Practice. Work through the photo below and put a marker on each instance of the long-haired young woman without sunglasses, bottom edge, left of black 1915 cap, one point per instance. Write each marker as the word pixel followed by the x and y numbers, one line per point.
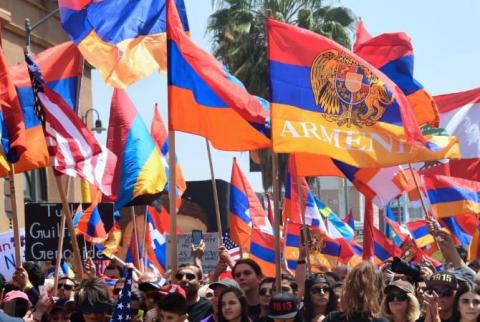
pixel 233 306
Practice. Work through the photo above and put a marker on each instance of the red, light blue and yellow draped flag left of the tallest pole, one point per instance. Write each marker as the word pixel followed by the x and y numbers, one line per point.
pixel 139 174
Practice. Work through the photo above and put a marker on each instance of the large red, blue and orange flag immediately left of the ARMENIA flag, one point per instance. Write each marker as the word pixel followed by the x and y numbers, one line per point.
pixel 206 100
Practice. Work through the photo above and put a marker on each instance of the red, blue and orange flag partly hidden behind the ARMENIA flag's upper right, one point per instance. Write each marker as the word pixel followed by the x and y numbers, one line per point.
pixel 392 54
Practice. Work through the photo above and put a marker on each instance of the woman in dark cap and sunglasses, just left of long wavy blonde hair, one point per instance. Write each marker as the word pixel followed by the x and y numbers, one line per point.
pixel 319 297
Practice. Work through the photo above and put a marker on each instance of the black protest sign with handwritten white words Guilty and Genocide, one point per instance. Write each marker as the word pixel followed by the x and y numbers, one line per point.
pixel 42 230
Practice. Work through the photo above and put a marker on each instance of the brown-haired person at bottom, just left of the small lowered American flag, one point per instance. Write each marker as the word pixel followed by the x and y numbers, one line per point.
pixel 92 300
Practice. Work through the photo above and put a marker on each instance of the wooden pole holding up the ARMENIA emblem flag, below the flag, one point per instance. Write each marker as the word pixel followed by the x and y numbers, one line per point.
pixel 276 217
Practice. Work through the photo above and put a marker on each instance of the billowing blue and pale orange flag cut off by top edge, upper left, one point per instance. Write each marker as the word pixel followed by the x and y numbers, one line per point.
pixel 125 46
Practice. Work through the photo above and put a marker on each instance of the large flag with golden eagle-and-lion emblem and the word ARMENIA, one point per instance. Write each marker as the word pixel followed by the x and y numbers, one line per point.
pixel 326 100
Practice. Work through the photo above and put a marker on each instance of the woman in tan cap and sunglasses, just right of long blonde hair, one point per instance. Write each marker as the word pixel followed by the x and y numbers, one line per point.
pixel 399 303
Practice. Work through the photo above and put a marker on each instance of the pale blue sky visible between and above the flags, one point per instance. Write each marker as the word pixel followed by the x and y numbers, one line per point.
pixel 445 39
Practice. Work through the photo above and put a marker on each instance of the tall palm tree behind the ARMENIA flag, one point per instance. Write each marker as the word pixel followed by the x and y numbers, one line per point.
pixel 238 33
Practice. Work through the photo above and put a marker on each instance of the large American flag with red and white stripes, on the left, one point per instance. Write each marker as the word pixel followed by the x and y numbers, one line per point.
pixel 73 148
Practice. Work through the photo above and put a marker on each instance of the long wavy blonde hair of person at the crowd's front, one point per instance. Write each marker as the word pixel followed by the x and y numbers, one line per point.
pixel 360 291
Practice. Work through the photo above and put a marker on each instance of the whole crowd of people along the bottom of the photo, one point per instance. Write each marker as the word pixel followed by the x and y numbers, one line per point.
pixel 397 291
